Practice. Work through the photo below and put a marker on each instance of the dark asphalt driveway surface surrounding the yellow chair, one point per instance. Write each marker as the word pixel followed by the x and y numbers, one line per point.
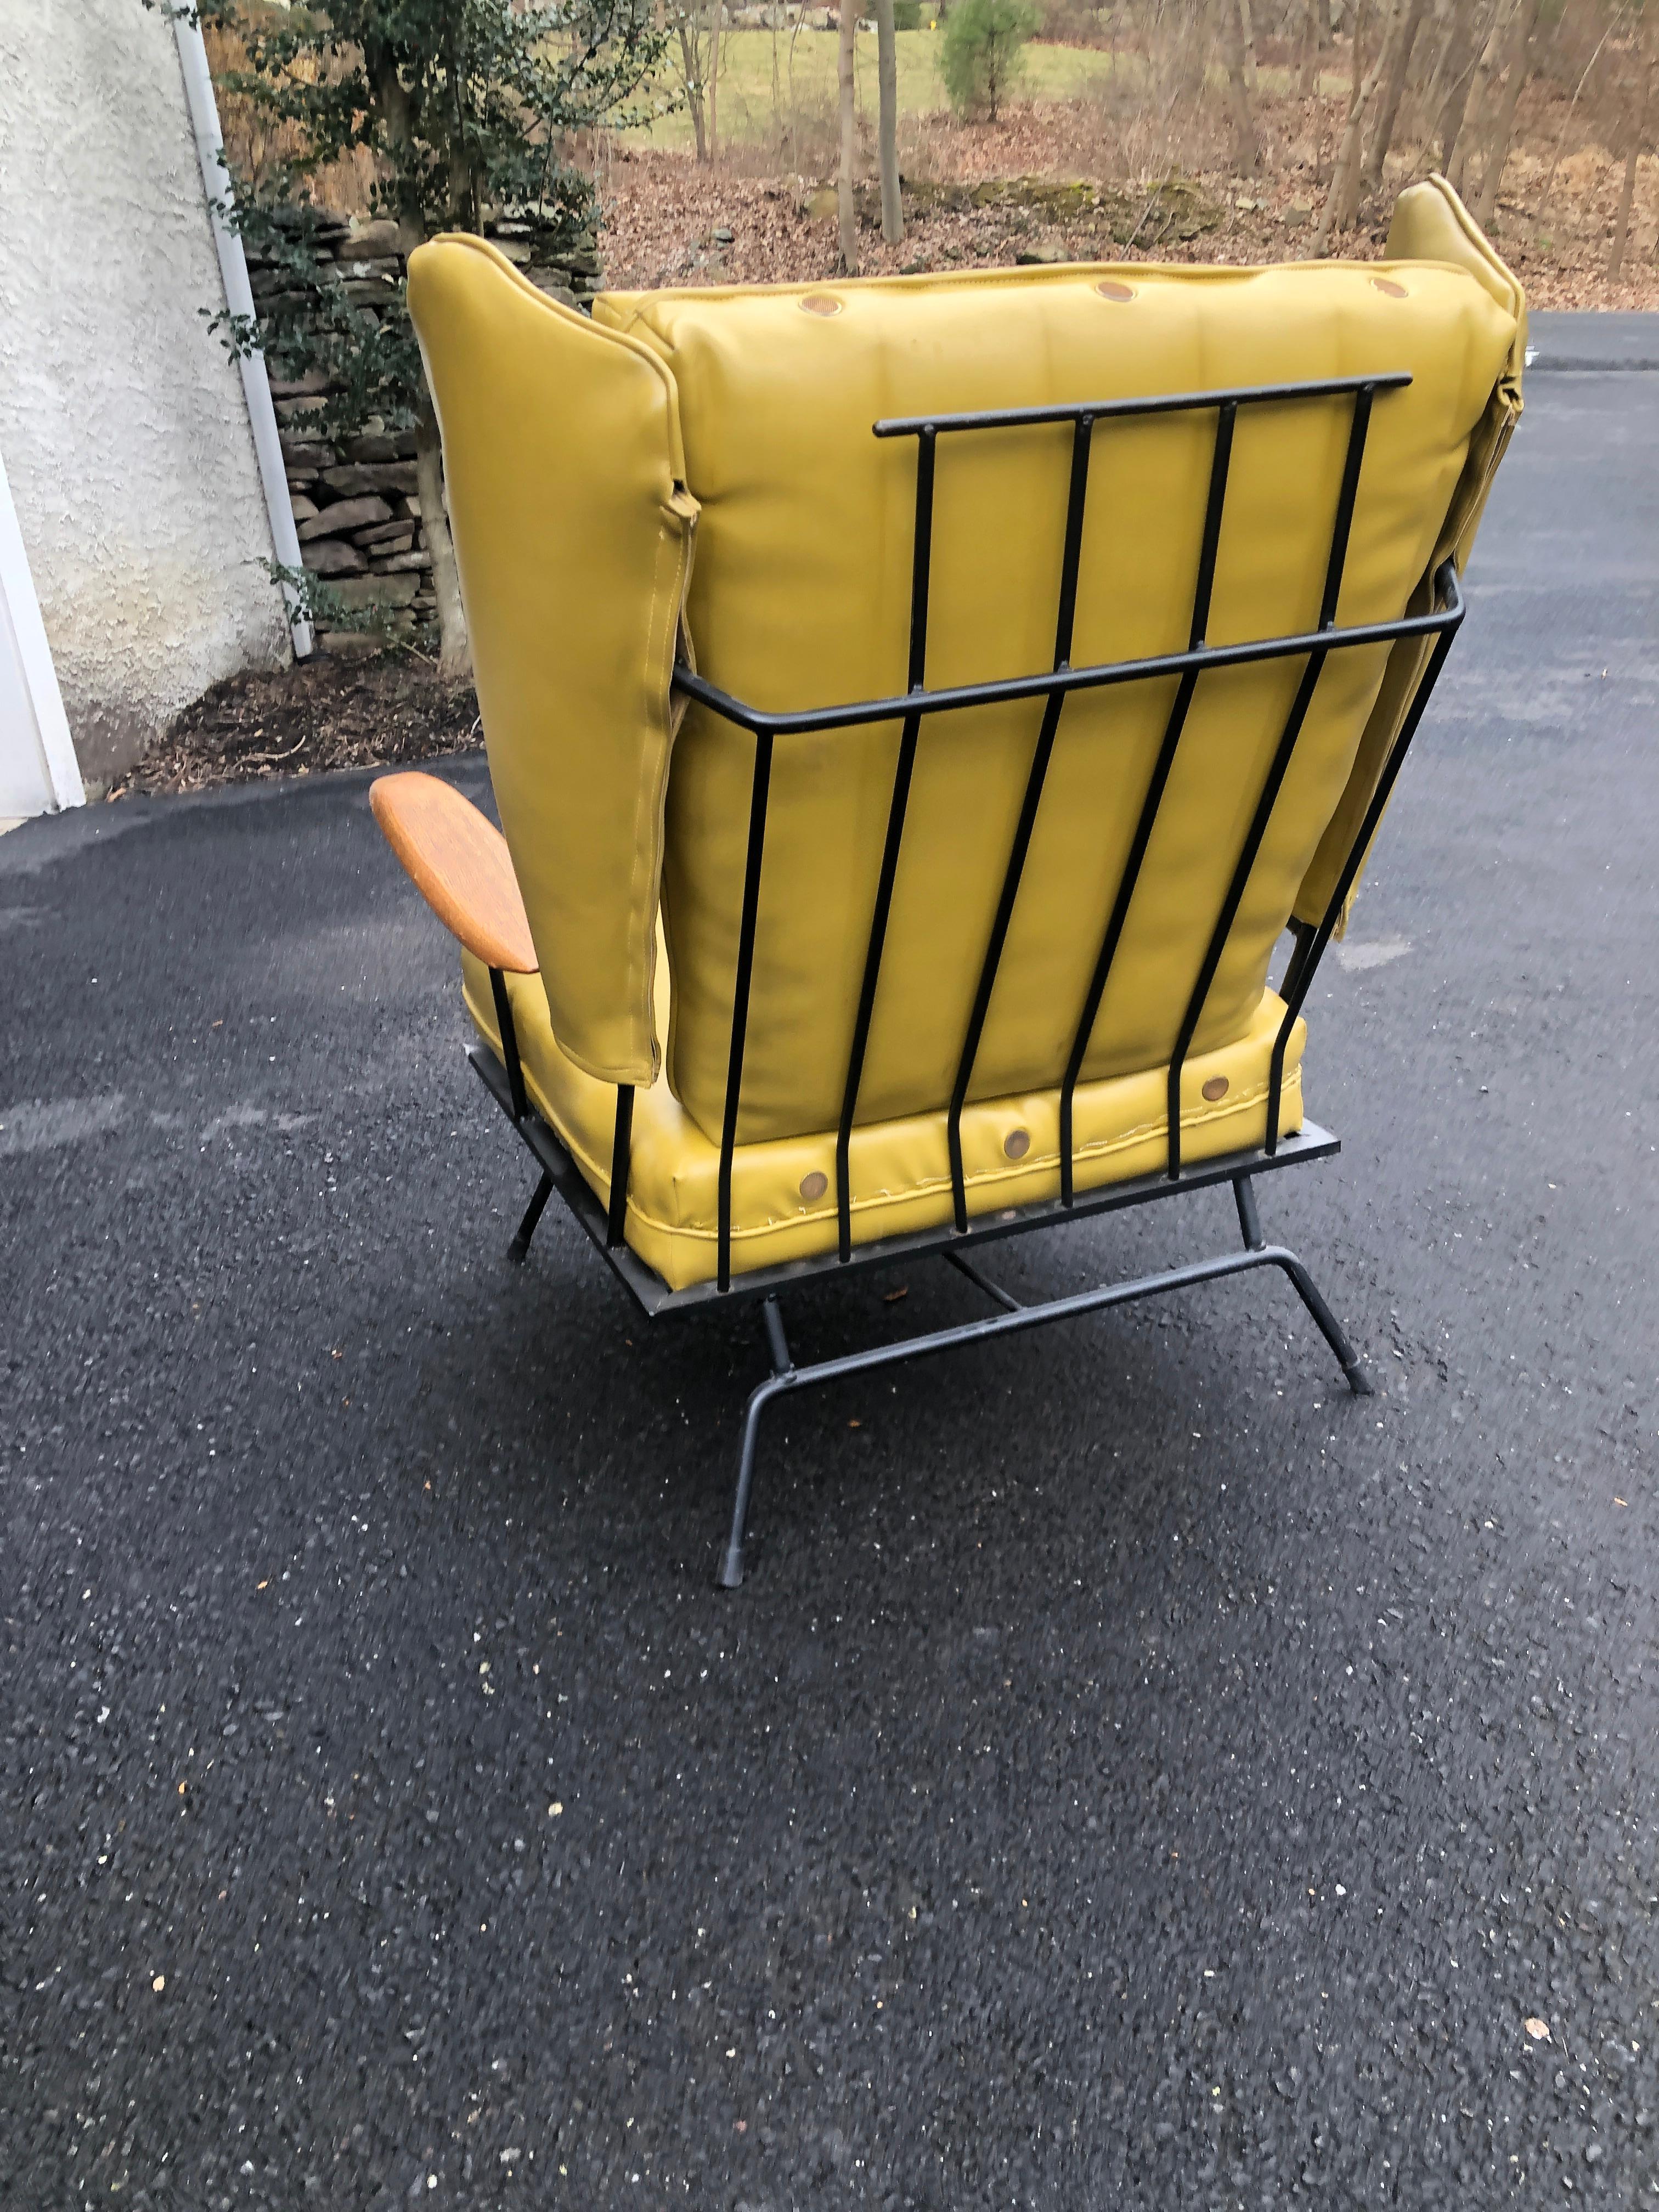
pixel 1136 1773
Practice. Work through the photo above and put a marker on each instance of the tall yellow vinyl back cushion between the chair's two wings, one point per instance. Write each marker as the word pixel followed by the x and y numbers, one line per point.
pixel 802 598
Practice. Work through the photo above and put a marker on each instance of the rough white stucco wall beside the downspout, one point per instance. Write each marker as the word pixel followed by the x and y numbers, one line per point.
pixel 123 421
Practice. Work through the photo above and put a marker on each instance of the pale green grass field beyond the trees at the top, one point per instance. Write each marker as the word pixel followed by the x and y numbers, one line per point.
pixel 806 81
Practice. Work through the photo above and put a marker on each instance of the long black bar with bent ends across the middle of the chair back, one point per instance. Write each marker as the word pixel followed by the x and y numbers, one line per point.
pixel 862 713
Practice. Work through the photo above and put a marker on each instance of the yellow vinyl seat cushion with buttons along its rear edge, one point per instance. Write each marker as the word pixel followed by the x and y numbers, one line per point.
pixel 784 1191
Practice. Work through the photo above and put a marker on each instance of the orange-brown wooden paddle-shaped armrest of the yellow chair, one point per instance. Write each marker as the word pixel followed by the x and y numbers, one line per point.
pixel 459 864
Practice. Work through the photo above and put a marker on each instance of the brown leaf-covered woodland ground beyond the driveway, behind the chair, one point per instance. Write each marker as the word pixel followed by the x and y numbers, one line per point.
pixel 1063 178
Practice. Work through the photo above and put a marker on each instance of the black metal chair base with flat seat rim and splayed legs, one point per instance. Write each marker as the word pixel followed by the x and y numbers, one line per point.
pixel 766 1284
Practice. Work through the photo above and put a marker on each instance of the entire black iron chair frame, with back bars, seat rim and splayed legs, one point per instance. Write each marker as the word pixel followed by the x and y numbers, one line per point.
pixel 605 1224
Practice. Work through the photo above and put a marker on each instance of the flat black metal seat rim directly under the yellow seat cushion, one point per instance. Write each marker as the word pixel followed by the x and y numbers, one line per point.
pixel 656 1300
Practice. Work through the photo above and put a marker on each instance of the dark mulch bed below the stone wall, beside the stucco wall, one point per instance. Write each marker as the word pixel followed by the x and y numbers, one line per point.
pixel 320 713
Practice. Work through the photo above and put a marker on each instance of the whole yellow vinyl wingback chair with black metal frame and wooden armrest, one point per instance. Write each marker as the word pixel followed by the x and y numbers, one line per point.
pixel 917 711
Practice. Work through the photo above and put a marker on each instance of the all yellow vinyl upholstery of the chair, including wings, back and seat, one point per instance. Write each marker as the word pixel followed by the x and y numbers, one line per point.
pixel 578 459
